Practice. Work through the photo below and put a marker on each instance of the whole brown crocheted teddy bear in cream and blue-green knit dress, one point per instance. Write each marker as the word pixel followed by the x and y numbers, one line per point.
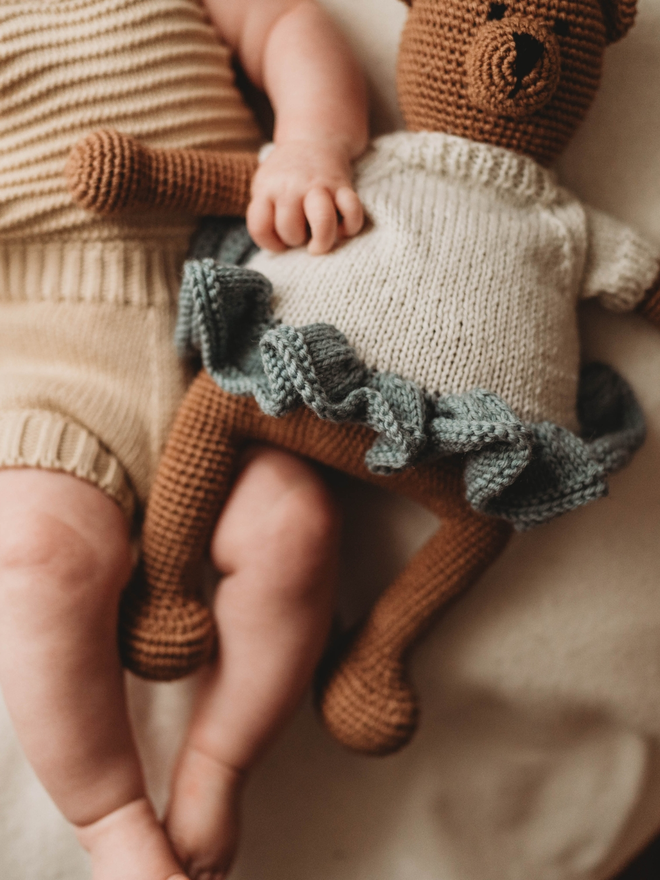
pixel 435 354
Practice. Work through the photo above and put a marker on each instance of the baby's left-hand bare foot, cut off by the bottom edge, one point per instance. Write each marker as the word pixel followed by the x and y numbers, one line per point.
pixel 129 844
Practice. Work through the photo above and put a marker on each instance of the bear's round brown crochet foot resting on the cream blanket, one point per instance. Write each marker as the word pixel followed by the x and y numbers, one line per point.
pixel 367 703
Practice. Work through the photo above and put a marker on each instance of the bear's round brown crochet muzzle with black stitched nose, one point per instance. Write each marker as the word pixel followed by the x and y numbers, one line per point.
pixel 513 67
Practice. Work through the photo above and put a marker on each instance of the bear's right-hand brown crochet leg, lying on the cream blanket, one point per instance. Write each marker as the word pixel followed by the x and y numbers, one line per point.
pixel 367 702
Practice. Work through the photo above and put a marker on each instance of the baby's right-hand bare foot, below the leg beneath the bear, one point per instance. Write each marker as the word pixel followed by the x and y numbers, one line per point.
pixel 202 820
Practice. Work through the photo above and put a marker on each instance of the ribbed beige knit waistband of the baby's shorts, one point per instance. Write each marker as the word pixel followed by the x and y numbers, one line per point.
pixel 118 272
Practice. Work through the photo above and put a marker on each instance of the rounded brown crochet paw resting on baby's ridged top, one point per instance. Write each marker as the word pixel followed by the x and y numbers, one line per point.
pixel 105 172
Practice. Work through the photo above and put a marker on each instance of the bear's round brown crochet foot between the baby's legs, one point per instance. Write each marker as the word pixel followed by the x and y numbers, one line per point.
pixel 165 638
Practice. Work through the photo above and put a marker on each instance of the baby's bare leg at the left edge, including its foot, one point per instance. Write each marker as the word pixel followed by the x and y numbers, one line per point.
pixel 64 559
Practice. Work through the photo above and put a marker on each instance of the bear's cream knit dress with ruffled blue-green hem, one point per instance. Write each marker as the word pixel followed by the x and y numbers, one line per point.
pixel 449 325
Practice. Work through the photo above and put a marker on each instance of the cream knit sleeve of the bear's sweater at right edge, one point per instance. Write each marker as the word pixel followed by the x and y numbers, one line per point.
pixel 620 264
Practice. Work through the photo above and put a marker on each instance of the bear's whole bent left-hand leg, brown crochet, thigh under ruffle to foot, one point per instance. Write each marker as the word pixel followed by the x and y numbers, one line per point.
pixel 165 631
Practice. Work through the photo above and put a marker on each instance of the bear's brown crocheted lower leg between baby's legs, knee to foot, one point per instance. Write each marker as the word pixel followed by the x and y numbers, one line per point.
pixel 165 632
